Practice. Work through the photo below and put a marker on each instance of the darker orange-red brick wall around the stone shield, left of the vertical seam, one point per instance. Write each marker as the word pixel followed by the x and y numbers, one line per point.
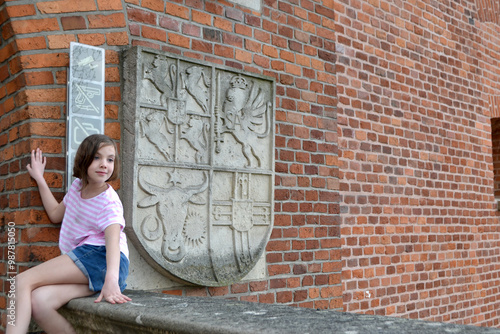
pixel 291 42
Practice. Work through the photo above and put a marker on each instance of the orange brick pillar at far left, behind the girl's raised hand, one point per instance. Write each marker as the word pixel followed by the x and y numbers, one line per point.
pixel 33 66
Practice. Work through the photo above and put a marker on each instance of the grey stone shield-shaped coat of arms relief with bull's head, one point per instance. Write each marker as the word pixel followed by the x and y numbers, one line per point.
pixel 198 166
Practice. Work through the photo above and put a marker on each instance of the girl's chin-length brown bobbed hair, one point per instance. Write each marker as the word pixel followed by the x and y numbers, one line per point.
pixel 86 153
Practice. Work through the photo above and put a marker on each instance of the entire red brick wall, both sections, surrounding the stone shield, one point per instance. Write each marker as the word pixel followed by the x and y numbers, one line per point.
pixel 417 83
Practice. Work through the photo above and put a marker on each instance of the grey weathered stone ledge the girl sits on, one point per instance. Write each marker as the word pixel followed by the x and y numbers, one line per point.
pixel 159 313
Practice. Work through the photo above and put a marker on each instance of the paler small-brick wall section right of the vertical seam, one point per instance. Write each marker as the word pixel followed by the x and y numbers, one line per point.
pixel 420 232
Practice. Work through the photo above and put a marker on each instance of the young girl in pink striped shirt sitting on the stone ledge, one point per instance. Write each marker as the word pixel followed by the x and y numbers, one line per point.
pixel 92 242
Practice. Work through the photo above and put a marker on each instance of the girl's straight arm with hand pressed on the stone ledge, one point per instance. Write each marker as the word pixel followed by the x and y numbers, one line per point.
pixel 111 291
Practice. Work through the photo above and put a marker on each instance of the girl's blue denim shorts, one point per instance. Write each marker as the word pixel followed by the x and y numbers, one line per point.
pixel 92 262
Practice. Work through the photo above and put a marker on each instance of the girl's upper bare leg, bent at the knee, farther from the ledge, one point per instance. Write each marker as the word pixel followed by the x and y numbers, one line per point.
pixel 59 270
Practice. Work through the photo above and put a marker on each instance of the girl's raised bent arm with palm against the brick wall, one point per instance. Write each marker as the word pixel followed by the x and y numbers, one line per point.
pixel 54 209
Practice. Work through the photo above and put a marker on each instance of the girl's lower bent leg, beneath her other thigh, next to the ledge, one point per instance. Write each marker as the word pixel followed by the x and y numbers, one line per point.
pixel 47 299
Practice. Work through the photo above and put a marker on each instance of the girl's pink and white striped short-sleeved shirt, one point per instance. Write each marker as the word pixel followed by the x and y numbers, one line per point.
pixel 85 220
